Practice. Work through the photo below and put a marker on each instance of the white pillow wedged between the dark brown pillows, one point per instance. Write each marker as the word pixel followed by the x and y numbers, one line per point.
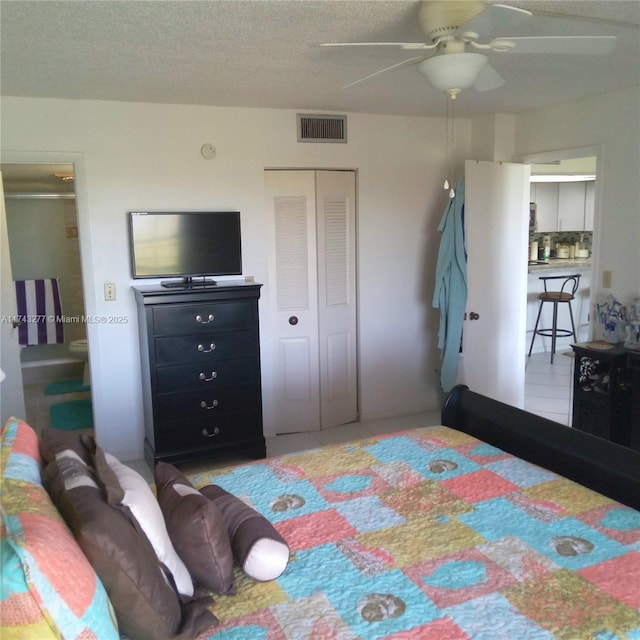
pixel 146 510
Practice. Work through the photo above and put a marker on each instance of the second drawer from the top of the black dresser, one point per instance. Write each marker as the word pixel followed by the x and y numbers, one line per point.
pixel 205 348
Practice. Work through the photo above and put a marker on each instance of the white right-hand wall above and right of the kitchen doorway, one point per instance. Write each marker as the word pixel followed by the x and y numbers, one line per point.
pixel 612 123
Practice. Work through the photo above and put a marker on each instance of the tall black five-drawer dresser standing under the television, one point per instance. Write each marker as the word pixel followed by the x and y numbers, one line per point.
pixel 200 351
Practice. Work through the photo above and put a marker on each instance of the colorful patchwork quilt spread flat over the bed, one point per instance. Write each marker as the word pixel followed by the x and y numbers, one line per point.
pixel 431 534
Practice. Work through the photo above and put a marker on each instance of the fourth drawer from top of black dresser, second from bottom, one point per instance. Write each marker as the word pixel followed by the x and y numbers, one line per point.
pixel 212 404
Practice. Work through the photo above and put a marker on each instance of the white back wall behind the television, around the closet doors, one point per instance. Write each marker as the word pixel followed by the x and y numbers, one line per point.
pixel 144 156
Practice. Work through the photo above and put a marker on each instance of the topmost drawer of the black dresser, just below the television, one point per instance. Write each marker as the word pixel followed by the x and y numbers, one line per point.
pixel 204 318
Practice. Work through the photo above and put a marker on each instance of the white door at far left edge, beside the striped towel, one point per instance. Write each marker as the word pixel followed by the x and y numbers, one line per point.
pixel 11 392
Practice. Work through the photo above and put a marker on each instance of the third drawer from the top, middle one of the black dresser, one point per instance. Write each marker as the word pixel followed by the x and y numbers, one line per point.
pixel 223 373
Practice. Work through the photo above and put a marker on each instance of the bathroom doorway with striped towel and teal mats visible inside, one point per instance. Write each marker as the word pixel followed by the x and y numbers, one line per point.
pixel 42 223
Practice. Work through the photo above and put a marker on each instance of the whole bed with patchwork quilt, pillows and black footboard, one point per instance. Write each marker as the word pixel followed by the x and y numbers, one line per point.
pixel 498 524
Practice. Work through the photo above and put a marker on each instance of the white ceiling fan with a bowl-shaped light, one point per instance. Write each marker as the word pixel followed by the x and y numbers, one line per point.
pixel 460 33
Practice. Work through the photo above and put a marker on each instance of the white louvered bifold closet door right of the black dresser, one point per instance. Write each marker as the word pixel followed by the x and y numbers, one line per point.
pixel 313 309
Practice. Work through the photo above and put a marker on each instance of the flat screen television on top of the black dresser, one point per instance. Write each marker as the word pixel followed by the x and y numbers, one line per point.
pixel 189 246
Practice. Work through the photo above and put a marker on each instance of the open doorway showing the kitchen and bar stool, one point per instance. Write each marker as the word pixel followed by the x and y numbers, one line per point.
pixel 566 184
